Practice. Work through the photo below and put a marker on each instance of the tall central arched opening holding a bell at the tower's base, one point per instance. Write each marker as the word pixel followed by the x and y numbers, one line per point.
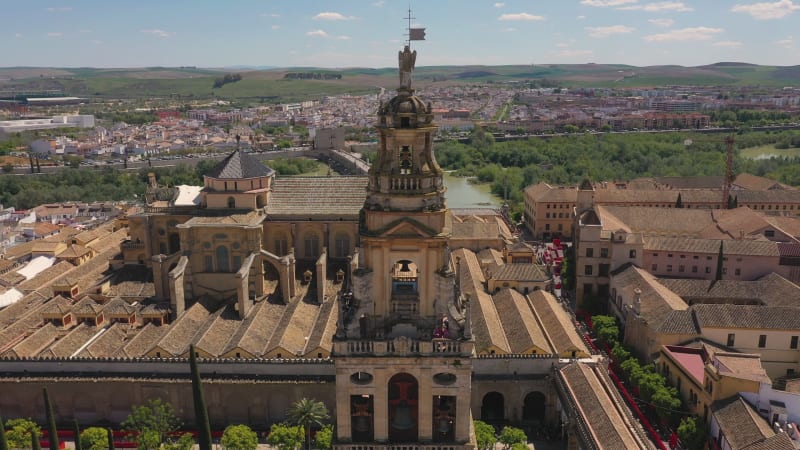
pixel 403 408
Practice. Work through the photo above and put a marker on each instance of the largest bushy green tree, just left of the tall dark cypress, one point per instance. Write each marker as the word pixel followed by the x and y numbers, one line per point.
pixel 152 421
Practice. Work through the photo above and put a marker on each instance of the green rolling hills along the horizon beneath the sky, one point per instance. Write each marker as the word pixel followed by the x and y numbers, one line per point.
pixel 280 84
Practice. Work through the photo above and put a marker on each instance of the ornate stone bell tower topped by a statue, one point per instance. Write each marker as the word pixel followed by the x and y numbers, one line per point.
pixel 403 348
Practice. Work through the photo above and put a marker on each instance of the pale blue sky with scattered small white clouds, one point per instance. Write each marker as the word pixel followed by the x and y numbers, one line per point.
pixel 368 33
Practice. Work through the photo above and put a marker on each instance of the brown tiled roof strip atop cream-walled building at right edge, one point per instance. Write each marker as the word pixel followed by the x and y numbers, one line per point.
pixel 746 316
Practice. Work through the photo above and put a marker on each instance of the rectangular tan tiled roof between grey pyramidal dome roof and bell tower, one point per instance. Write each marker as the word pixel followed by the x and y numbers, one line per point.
pixel 316 196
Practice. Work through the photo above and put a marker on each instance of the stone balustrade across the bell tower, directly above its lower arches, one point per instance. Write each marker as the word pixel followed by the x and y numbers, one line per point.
pixel 402 346
